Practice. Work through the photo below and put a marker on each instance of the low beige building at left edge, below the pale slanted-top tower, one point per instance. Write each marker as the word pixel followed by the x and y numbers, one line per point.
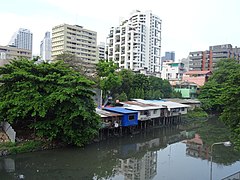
pixel 8 53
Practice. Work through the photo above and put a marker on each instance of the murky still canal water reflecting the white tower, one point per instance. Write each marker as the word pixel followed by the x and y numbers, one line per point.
pixel 168 153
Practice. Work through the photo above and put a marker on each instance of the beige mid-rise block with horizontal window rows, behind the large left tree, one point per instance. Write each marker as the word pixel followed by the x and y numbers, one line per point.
pixel 76 40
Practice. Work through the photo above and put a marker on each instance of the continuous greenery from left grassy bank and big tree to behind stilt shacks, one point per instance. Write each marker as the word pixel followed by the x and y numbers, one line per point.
pixel 49 104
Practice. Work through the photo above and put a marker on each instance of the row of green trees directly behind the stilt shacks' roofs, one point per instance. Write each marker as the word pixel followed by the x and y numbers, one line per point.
pixel 125 84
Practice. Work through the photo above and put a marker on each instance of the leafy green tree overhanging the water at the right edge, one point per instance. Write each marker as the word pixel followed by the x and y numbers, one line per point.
pixel 221 94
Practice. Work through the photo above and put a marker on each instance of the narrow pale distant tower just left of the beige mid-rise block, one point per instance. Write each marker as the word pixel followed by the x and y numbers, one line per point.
pixel 46 47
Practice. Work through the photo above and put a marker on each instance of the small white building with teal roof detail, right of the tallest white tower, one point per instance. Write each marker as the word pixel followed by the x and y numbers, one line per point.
pixel 172 71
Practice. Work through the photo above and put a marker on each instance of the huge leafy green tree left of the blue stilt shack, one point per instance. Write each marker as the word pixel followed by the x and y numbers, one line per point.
pixel 52 98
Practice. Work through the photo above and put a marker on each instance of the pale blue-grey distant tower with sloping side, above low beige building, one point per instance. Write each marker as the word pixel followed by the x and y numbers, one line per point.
pixel 22 39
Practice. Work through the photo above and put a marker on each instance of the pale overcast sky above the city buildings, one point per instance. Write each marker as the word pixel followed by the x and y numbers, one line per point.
pixel 187 25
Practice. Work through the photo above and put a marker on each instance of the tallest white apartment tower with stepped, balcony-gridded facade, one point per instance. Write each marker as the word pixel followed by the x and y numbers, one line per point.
pixel 136 43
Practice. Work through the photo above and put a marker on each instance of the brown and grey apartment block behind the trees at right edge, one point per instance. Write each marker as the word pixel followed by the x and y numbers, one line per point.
pixel 206 60
